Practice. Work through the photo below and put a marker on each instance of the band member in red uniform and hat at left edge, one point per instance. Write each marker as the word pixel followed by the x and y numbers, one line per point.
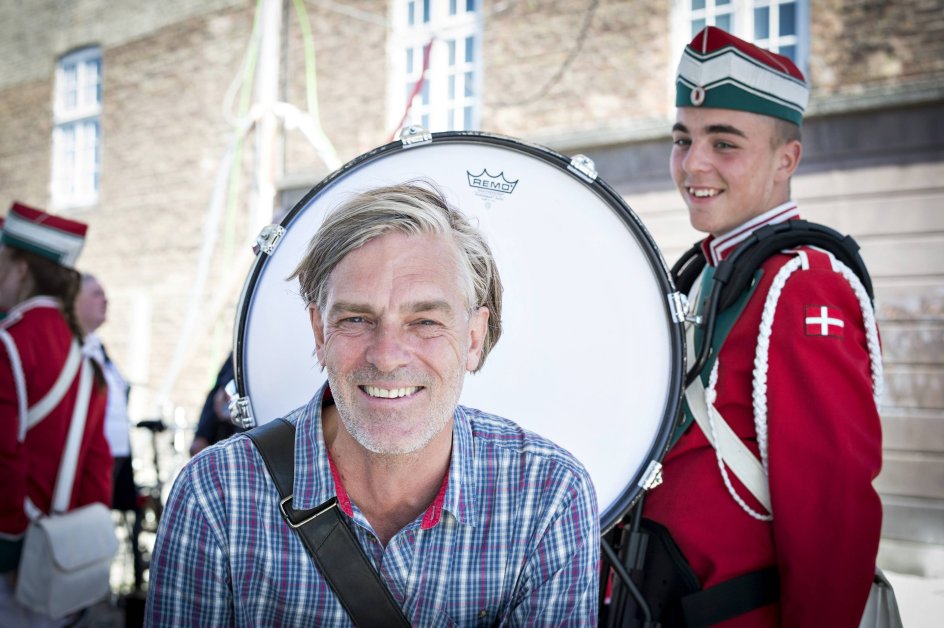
pixel 38 286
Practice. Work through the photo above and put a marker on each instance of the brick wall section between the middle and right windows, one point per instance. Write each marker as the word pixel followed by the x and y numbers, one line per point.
pixel 565 66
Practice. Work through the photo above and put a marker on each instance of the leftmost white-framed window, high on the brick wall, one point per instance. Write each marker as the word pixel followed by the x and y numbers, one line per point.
pixel 77 133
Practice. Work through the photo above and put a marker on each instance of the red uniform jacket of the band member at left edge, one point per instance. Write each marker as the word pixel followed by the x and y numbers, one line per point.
pixel 28 468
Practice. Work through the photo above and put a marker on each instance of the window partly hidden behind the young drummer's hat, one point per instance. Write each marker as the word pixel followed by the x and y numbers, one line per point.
pixel 777 25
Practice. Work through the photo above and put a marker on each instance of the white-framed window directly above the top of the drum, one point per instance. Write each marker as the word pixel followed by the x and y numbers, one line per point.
pixel 442 37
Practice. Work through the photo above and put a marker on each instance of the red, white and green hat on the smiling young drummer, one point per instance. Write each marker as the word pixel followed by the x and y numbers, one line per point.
pixel 721 71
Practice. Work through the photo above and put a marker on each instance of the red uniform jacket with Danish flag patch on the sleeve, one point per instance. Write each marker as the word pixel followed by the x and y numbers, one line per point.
pixel 824 441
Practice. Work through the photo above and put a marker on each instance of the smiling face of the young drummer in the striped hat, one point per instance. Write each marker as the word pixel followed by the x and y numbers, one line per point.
pixel 726 167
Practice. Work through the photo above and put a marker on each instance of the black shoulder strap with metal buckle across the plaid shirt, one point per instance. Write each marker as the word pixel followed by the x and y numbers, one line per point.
pixel 327 538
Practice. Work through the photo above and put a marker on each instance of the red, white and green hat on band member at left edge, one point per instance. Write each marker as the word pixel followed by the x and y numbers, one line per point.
pixel 53 237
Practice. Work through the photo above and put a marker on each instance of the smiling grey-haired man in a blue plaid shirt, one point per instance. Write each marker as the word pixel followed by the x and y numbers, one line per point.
pixel 467 518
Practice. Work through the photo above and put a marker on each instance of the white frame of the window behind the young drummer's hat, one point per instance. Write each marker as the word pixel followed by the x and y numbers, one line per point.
pixel 742 14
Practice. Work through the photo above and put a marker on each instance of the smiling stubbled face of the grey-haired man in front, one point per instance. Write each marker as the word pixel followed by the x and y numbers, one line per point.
pixel 396 337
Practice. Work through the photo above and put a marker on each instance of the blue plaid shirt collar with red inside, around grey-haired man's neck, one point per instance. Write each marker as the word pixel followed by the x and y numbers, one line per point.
pixel 316 480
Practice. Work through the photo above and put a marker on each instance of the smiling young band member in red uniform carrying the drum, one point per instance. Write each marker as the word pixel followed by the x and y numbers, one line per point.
pixel 795 368
